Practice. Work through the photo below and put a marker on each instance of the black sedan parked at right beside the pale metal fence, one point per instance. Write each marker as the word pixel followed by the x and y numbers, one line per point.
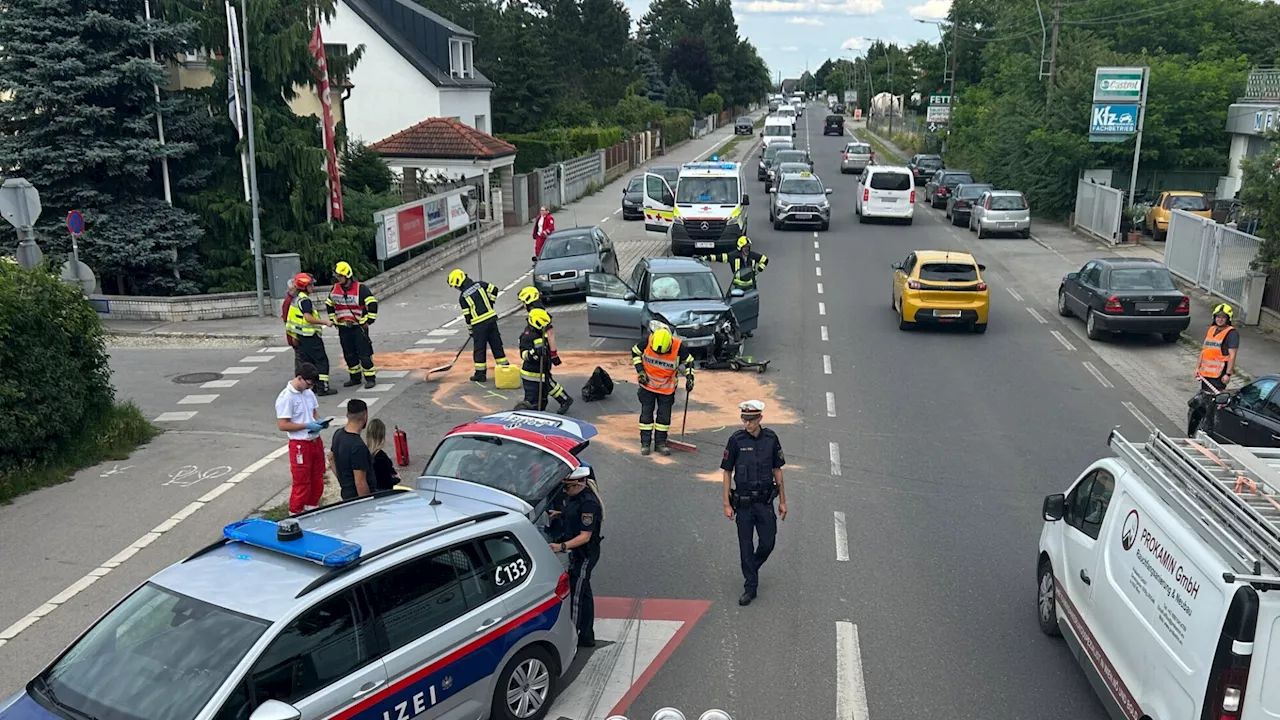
pixel 1126 295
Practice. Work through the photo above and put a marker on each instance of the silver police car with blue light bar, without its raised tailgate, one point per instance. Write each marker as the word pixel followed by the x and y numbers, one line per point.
pixel 406 604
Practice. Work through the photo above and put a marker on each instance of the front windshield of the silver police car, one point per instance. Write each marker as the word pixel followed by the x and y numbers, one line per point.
pixel 158 657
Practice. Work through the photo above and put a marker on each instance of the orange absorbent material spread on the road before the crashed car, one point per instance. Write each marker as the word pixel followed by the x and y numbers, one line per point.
pixel 712 409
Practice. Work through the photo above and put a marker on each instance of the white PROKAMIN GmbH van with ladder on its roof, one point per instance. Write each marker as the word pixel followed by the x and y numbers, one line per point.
pixel 1162 568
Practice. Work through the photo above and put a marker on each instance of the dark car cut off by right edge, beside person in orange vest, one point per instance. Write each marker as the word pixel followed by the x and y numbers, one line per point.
pixel 1249 417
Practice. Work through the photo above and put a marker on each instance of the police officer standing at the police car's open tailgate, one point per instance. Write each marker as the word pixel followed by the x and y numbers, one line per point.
pixel 579 522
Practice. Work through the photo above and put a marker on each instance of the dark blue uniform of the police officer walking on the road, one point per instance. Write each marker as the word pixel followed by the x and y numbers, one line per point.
pixel 753 461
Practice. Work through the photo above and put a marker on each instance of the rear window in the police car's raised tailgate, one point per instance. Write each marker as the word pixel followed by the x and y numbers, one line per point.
pixel 524 471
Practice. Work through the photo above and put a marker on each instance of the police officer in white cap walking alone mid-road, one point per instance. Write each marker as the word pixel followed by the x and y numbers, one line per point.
pixel 753 477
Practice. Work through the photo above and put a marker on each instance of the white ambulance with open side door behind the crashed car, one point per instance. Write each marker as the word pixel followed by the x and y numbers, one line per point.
pixel 705 209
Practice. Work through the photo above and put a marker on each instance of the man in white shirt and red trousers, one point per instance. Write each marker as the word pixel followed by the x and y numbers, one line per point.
pixel 298 413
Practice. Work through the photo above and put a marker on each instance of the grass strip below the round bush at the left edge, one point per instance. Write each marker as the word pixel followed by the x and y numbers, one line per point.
pixel 108 435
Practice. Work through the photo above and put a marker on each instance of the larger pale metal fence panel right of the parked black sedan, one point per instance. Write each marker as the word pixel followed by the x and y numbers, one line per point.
pixel 1210 256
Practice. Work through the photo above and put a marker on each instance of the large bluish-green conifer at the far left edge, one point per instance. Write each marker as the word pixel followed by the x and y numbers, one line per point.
pixel 80 125
